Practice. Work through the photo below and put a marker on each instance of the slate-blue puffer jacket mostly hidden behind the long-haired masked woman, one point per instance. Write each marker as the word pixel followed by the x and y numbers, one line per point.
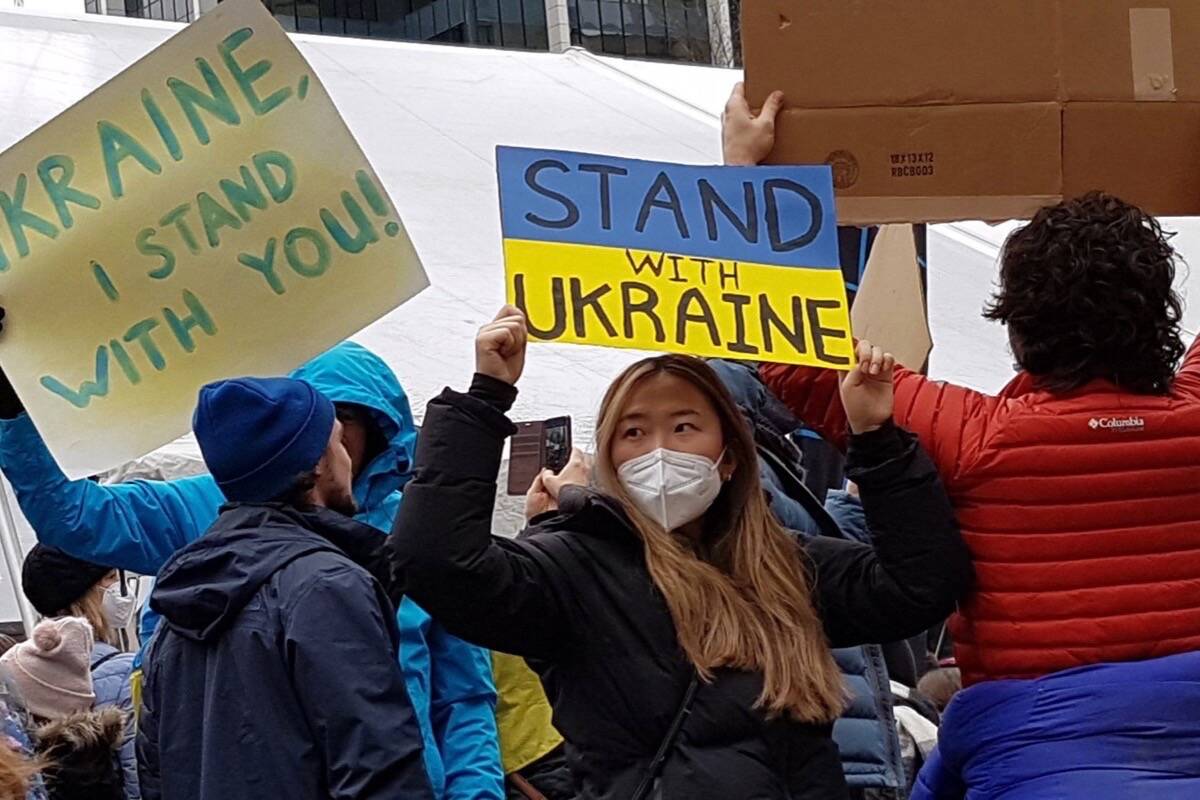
pixel 866 733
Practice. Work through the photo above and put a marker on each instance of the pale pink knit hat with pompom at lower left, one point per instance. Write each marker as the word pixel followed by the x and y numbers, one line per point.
pixel 52 671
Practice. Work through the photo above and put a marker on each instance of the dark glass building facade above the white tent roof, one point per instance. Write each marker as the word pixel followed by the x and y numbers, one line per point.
pixel 645 29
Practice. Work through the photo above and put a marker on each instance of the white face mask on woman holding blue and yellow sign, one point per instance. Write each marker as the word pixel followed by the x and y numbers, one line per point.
pixel 671 488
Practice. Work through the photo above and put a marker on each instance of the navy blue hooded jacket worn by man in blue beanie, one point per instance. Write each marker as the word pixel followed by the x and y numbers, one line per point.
pixel 275 672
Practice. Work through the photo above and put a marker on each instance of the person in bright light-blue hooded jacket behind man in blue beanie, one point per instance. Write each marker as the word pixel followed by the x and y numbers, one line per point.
pixel 139 526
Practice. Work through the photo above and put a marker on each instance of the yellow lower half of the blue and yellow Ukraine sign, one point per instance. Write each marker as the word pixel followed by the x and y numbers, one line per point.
pixel 583 294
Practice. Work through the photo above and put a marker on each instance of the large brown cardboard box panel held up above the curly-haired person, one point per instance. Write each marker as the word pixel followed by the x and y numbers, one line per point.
pixel 935 111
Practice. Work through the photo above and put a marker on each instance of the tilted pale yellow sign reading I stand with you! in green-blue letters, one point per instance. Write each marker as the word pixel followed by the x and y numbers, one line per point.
pixel 203 215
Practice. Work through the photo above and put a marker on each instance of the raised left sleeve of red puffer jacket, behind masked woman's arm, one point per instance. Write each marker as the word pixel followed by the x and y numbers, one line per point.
pixel 950 422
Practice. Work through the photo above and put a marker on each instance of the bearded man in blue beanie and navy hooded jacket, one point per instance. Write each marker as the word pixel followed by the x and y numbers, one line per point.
pixel 275 673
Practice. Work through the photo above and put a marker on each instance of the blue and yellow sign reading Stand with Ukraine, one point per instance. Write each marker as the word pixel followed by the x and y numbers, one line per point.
pixel 719 262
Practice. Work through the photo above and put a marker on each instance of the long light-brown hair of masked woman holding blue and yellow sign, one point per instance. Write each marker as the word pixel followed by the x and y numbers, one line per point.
pixel 740 598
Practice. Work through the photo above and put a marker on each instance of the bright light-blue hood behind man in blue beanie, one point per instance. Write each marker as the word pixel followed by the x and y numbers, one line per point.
pixel 351 374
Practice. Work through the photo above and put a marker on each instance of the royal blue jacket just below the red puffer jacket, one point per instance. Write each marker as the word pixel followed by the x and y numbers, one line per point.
pixel 1109 732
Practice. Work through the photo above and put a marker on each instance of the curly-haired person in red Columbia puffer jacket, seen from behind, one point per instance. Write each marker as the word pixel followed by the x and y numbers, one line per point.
pixel 1077 488
